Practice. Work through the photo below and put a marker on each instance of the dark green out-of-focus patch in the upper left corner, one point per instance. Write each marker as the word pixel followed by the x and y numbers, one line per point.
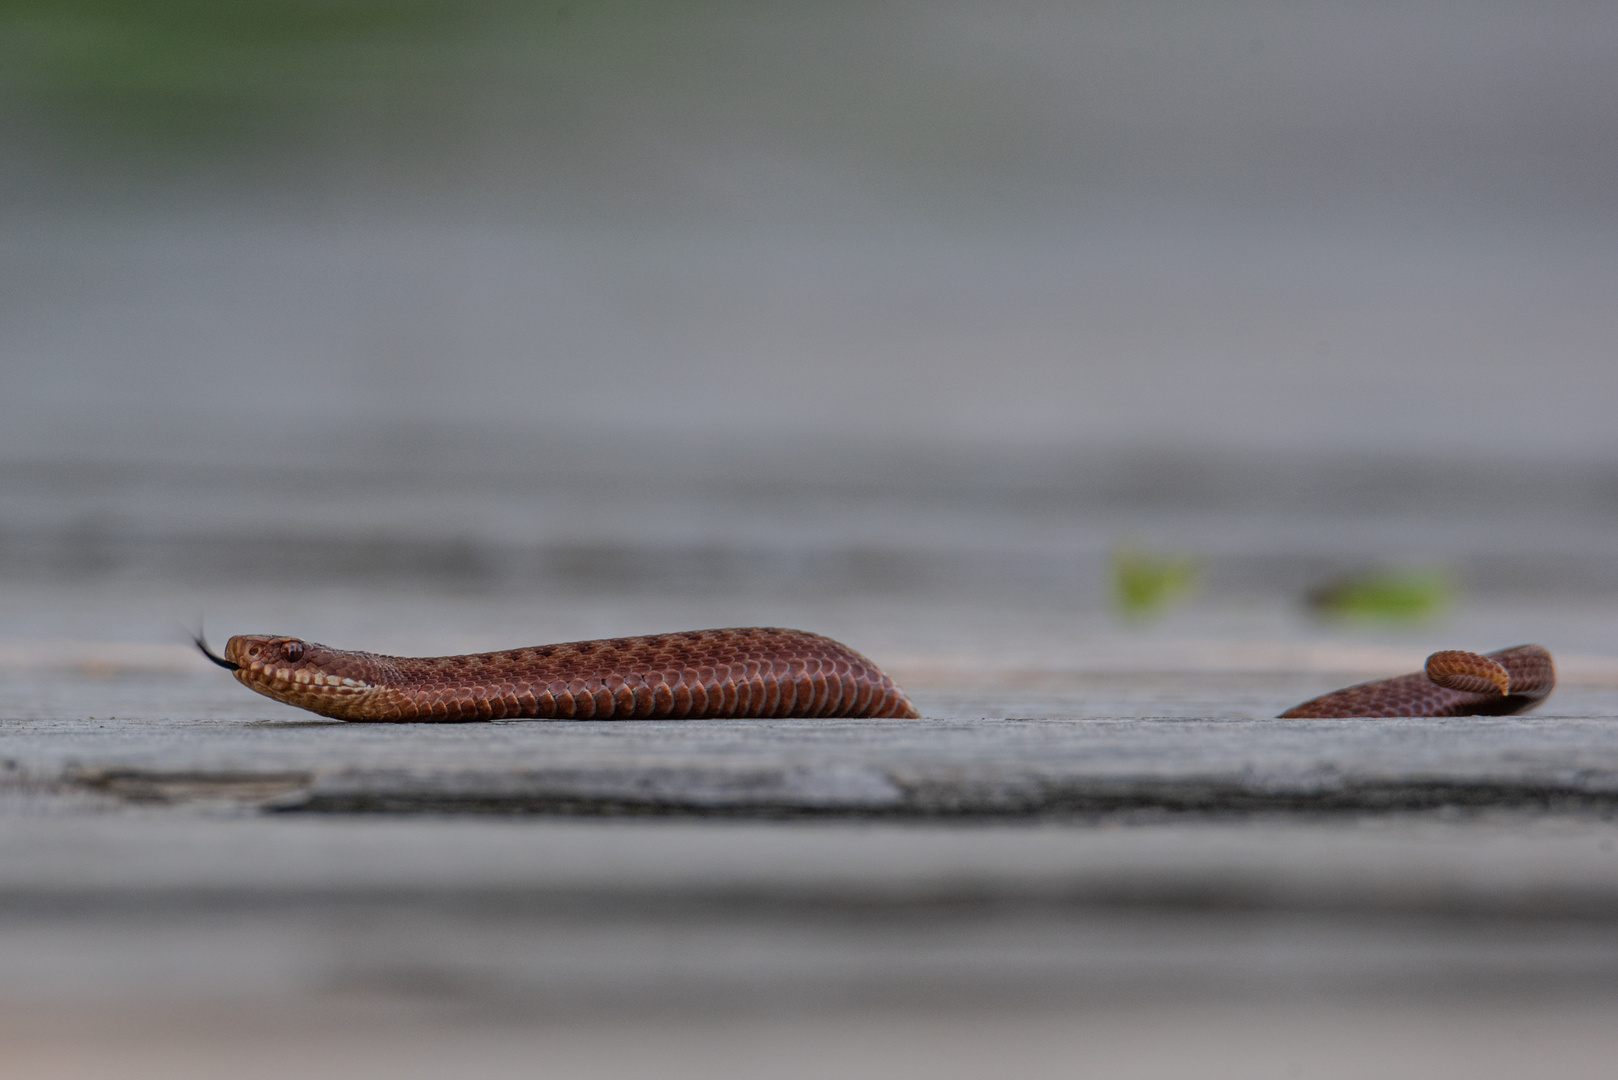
pixel 205 70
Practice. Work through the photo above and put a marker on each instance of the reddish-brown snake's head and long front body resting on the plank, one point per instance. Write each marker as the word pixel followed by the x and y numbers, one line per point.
pixel 697 674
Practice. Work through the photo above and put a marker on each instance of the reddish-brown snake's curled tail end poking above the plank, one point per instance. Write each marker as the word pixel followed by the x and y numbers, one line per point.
pixel 1454 684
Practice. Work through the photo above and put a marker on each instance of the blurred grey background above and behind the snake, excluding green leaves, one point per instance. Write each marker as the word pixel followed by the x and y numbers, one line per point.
pixel 451 325
